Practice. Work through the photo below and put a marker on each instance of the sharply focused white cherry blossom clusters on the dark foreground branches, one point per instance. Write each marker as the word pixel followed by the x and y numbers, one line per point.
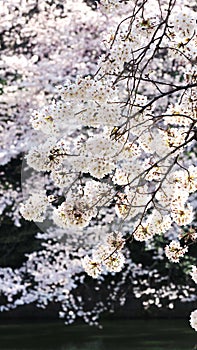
pixel 122 137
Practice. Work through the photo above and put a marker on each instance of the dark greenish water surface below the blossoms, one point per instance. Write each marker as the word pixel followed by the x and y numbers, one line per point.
pixel 115 335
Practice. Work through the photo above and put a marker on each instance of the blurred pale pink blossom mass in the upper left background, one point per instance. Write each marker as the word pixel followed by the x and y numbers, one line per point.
pixel 39 41
